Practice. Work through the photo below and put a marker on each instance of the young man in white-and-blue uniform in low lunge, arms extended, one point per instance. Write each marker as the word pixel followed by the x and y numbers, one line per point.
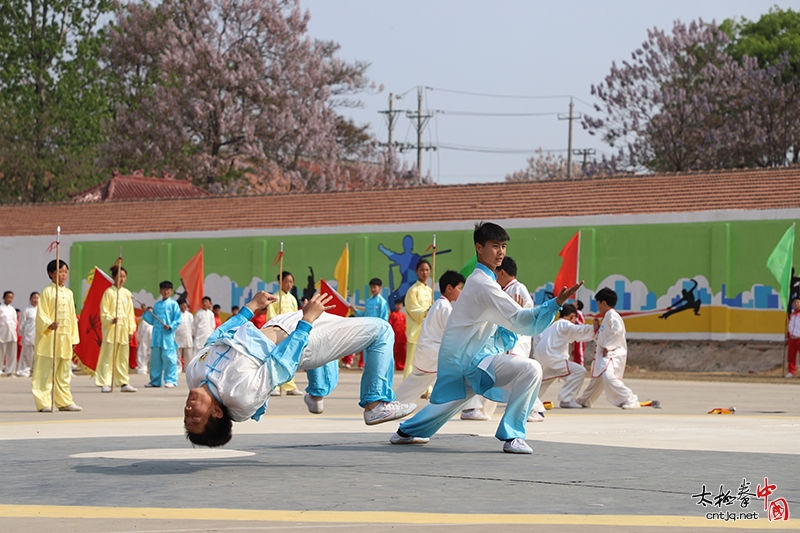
pixel 472 357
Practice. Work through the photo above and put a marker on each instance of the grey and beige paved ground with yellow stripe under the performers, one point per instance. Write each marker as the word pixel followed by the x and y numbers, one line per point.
pixel 123 465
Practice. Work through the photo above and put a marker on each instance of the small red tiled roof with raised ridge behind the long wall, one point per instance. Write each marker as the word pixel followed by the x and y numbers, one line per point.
pixel 122 188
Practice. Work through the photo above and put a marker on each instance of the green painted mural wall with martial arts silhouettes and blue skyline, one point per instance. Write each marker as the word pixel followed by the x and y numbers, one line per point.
pixel 696 280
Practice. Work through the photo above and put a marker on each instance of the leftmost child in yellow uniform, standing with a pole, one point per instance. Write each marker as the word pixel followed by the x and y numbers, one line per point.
pixel 56 333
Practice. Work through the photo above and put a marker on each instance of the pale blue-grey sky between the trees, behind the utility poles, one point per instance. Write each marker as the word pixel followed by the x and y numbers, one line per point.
pixel 481 63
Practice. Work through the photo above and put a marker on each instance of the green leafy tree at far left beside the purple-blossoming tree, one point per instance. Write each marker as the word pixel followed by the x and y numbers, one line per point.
pixel 53 99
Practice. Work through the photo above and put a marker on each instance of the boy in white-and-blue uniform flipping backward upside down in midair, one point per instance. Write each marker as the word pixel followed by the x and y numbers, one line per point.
pixel 231 377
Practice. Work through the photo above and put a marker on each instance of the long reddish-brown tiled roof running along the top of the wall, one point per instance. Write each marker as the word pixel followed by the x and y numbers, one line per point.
pixel 664 193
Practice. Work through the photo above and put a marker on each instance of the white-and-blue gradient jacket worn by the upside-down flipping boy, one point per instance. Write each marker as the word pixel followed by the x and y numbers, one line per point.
pixel 241 365
